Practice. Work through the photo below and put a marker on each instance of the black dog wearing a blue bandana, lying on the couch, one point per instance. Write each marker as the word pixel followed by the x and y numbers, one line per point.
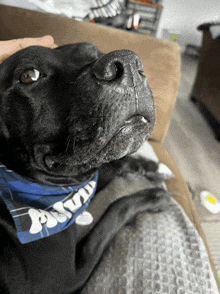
pixel 64 114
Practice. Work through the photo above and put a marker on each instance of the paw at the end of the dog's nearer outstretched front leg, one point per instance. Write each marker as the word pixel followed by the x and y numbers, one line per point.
pixel 157 200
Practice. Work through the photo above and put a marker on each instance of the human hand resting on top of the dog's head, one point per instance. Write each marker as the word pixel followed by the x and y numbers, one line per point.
pixel 8 48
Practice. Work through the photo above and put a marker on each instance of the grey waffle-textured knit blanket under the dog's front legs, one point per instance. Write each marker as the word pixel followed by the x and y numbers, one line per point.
pixel 160 253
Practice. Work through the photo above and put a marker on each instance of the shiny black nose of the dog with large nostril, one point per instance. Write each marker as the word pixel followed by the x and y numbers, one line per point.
pixel 117 64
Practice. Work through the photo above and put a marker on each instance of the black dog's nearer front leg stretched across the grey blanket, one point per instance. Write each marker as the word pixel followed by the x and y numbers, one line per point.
pixel 90 249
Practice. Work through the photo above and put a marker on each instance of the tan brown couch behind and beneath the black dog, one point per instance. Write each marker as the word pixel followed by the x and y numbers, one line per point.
pixel 161 61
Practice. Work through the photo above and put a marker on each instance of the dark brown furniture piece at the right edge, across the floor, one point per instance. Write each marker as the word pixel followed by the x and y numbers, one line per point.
pixel 206 89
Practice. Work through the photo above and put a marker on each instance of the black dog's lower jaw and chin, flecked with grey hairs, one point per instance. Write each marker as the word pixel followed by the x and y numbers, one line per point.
pixel 126 140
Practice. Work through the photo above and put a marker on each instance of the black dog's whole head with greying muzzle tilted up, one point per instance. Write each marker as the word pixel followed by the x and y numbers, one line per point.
pixel 66 111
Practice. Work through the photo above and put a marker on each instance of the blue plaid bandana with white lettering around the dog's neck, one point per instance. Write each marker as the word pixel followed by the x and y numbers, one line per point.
pixel 41 210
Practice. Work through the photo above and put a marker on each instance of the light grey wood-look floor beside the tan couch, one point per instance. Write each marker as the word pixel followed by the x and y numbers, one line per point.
pixel 196 153
